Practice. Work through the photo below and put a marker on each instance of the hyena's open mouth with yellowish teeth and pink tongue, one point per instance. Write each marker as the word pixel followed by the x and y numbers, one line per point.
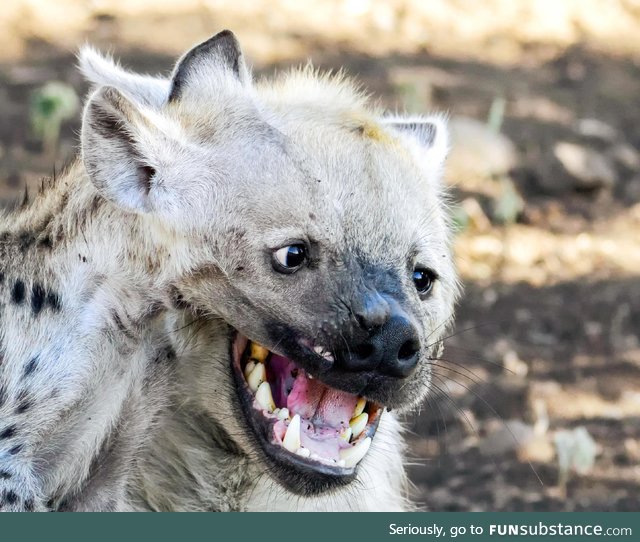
pixel 302 423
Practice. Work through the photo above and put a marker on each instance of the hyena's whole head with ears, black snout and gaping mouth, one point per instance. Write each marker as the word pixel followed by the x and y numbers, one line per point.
pixel 312 226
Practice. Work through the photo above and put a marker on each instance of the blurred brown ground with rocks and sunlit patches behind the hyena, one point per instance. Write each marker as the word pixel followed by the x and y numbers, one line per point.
pixel 537 404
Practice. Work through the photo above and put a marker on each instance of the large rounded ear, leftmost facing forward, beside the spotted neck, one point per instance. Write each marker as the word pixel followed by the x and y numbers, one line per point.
pixel 123 144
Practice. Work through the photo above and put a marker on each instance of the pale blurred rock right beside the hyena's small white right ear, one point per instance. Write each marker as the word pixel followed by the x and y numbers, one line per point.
pixel 477 151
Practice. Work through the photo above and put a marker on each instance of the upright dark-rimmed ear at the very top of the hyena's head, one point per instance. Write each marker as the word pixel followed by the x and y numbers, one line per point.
pixel 216 61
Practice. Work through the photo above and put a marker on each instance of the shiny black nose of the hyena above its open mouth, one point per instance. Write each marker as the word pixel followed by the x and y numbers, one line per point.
pixel 392 346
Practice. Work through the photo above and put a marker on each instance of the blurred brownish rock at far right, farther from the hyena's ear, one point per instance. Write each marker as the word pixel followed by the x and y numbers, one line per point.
pixel 589 168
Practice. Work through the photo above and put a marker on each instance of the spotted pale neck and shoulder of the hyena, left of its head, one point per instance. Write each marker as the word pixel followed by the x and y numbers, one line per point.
pixel 80 335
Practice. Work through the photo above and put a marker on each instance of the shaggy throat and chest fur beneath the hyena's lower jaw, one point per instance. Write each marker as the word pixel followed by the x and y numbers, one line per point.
pixel 208 474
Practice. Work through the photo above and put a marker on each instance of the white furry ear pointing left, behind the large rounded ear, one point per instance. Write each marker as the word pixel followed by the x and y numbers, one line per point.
pixel 104 71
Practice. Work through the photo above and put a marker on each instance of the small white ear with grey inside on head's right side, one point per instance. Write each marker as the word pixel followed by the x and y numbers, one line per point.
pixel 430 133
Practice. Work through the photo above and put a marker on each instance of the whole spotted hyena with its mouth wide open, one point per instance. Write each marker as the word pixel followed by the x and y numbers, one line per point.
pixel 219 304
